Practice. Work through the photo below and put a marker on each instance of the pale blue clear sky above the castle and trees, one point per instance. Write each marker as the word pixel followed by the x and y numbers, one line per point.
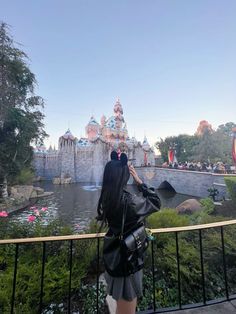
pixel 172 63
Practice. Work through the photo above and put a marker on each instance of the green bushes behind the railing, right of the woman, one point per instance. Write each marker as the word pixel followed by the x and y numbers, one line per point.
pixel 166 288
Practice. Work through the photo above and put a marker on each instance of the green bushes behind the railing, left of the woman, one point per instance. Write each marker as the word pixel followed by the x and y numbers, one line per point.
pixel 56 274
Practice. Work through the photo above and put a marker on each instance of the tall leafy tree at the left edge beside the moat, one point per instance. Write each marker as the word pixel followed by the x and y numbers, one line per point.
pixel 21 118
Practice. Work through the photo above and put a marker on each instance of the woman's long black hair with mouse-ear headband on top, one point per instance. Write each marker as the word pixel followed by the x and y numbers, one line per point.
pixel 115 177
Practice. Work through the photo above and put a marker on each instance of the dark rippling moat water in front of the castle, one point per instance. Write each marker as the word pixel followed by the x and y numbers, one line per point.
pixel 75 204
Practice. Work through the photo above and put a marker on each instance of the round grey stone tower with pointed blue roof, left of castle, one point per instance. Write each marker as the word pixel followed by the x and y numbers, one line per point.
pixel 66 156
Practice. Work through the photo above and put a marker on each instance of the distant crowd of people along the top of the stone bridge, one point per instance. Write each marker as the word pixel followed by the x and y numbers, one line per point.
pixel 218 167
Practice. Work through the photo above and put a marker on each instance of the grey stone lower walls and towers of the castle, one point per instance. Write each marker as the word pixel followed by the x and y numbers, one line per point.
pixel 82 164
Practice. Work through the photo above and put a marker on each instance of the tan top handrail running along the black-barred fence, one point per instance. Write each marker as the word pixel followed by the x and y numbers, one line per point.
pixel 101 235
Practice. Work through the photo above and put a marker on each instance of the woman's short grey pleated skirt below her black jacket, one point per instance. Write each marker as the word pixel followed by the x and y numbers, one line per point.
pixel 126 288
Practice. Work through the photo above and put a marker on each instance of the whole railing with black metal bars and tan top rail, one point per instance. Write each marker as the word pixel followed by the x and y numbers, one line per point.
pixel 176 231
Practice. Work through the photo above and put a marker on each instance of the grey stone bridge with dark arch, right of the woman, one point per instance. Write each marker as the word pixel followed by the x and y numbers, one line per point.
pixel 183 181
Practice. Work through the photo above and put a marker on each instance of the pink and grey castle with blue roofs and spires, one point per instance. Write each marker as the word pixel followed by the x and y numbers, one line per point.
pixel 83 160
